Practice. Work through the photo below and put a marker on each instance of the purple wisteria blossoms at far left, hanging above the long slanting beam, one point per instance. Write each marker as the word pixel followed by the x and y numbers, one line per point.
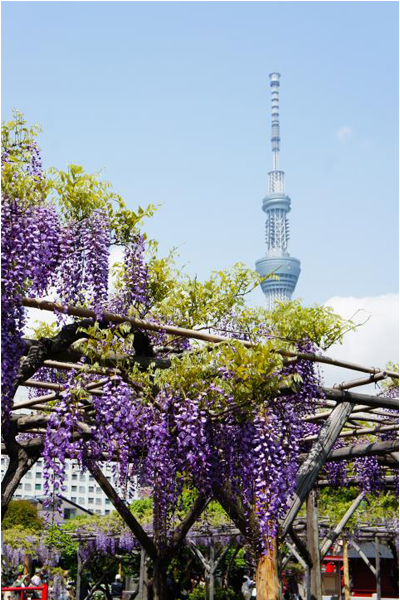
pixel 42 252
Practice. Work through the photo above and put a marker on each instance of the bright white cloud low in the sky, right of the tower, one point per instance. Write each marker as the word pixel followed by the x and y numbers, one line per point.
pixel 374 343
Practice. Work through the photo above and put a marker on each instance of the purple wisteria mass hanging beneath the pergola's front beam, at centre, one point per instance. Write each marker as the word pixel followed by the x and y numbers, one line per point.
pixel 175 441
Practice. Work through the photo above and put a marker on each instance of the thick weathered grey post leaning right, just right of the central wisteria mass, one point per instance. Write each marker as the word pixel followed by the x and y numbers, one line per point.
pixel 311 467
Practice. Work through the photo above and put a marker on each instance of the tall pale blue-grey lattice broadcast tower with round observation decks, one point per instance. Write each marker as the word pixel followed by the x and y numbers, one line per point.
pixel 276 205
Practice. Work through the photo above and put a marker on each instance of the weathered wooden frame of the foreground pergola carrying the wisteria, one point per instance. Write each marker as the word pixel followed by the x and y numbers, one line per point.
pixel 342 413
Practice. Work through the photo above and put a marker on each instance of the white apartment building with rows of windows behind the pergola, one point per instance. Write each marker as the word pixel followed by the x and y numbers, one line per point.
pixel 80 488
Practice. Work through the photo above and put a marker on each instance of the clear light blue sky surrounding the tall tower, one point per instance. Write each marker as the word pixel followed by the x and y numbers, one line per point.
pixel 171 101
